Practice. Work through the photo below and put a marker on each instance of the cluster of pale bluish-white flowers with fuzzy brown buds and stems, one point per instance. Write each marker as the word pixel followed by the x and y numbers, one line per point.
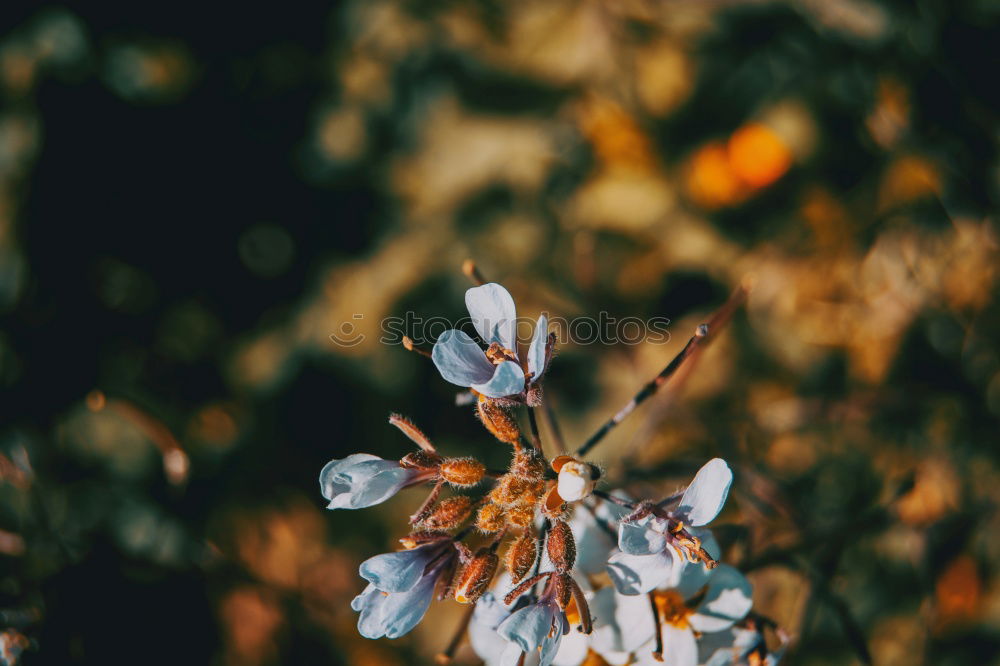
pixel 585 575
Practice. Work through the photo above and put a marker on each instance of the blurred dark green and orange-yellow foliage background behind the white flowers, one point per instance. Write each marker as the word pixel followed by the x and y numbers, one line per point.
pixel 192 203
